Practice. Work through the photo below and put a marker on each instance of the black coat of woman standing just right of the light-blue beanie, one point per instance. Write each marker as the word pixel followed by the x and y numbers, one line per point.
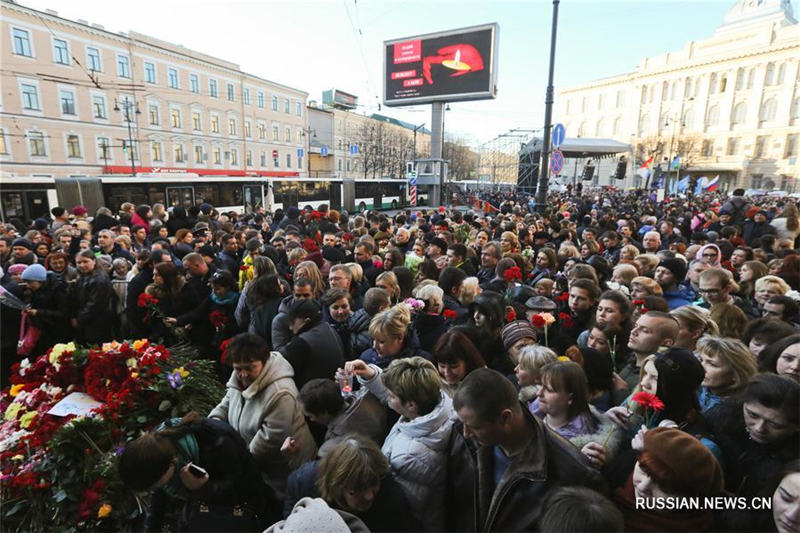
pixel 93 307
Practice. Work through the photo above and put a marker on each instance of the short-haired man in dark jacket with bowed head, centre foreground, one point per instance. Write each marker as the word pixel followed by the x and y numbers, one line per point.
pixel 518 459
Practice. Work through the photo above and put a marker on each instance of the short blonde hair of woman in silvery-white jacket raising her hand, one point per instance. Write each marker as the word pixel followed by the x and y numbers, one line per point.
pixel 414 379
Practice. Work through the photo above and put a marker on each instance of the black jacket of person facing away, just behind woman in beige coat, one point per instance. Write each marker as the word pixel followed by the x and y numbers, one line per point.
pixel 315 352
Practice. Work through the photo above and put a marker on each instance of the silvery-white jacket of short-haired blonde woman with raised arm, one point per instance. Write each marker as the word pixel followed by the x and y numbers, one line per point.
pixel 417 453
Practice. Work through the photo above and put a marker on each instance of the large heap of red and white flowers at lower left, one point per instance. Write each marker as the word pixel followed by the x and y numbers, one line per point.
pixel 59 472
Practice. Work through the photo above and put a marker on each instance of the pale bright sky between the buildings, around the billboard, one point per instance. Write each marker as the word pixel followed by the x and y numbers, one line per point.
pixel 323 44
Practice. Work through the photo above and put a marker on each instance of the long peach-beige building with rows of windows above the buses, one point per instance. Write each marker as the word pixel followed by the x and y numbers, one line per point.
pixel 78 100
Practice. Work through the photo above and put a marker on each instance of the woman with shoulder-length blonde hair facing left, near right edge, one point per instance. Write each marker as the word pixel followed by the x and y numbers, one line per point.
pixel 728 366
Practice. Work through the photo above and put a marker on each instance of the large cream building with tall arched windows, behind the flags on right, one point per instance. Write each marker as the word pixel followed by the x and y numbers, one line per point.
pixel 728 105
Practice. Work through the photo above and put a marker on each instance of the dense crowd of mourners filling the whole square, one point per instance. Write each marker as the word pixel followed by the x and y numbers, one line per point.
pixel 562 369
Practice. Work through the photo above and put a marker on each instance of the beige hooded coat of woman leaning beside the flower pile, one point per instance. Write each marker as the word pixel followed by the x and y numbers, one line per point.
pixel 264 414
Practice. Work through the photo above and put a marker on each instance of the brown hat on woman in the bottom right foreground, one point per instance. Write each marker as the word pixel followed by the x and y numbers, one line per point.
pixel 692 466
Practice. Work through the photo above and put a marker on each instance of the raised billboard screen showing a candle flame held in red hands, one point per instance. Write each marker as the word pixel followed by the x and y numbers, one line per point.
pixel 447 66
